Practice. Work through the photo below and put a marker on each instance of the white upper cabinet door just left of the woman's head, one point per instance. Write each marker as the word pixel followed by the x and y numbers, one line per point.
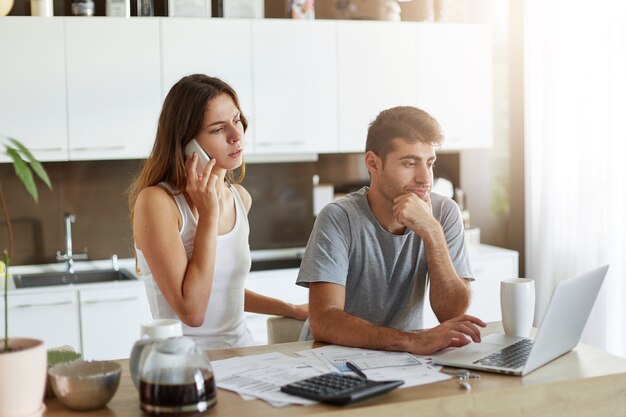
pixel 113 86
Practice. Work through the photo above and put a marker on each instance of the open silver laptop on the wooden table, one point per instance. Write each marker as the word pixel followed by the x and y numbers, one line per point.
pixel 559 332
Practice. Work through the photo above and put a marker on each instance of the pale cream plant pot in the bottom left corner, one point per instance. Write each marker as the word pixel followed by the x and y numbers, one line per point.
pixel 22 377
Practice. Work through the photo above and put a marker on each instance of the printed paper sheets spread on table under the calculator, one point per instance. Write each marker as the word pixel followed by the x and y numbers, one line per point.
pixel 261 376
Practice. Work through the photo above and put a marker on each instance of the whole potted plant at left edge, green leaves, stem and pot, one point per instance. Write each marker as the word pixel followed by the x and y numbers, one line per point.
pixel 22 361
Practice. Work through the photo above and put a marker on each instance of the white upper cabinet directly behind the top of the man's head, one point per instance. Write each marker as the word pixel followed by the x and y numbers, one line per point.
pixel 444 69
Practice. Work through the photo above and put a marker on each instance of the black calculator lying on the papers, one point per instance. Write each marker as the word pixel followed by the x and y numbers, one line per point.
pixel 339 389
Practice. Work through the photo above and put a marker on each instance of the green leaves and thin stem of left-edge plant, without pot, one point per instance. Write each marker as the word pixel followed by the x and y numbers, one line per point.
pixel 24 164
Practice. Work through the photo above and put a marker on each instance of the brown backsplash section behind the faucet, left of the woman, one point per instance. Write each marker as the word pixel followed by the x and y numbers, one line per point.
pixel 94 191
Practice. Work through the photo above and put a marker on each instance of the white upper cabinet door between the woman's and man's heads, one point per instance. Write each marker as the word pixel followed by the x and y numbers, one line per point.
pixel 295 86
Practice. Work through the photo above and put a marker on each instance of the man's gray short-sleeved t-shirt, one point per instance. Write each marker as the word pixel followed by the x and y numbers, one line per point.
pixel 385 275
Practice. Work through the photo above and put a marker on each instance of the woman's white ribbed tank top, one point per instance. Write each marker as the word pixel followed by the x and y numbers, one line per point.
pixel 224 324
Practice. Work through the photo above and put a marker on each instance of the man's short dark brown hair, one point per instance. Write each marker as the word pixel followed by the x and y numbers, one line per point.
pixel 404 122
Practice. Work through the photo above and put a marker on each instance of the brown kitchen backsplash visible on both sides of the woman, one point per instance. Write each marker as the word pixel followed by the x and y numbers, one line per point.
pixel 95 191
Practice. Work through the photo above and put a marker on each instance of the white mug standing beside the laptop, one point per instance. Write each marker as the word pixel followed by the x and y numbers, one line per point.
pixel 517 302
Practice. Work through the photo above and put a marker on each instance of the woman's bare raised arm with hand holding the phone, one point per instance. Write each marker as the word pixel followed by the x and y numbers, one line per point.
pixel 185 284
